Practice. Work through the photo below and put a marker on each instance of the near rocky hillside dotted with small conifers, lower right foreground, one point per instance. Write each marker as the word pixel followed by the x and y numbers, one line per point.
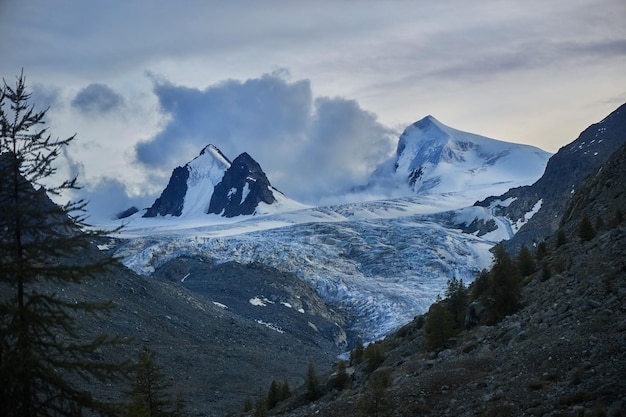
pixel 561 354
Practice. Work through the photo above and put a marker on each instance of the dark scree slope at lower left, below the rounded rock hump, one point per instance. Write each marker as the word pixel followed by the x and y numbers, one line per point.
pixel 214 357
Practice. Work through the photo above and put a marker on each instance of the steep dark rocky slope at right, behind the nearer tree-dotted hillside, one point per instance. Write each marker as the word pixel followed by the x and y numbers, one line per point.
pixel 564 173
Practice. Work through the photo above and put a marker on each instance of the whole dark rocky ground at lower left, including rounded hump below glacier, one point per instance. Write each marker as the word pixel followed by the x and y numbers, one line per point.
pixel 215 354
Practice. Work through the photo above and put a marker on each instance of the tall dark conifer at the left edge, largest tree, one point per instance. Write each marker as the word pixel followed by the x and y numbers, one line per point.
pixel 44 362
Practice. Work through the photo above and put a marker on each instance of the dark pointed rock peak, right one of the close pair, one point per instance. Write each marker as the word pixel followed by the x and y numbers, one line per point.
pixel 241 190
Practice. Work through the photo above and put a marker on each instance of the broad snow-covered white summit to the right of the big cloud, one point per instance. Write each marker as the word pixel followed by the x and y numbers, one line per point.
pixel 434 158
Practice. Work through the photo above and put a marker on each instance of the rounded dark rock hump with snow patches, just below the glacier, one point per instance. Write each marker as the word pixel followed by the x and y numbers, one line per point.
pixel 261 294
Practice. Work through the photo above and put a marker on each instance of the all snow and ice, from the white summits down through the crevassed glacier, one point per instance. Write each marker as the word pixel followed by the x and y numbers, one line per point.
pixel 384 261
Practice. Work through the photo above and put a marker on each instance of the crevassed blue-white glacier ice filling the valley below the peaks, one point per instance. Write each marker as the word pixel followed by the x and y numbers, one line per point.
pixel 384 261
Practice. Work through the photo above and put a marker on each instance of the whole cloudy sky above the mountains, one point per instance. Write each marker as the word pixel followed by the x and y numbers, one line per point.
pixel 316 91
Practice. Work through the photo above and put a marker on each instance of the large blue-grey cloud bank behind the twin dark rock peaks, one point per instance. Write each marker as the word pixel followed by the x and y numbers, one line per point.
pixel 309 147
